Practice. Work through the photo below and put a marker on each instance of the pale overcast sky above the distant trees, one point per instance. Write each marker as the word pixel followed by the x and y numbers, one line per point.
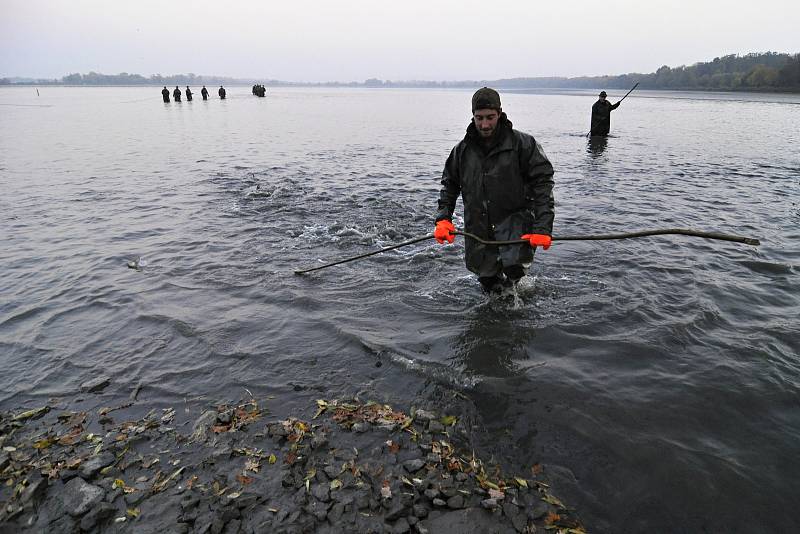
pixel 352 40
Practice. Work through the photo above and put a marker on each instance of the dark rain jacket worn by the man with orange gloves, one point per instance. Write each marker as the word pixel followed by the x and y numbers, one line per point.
pixel 507 191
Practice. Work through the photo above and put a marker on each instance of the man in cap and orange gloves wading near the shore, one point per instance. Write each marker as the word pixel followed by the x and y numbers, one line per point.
pixel 506 184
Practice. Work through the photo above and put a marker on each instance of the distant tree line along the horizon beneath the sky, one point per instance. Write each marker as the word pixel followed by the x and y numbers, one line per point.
pixel 769 71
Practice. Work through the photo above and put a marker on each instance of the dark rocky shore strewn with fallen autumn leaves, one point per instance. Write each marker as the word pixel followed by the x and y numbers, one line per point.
pixel 351 467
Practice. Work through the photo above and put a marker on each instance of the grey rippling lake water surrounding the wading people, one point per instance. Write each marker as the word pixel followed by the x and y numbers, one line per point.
pixel 660 377
